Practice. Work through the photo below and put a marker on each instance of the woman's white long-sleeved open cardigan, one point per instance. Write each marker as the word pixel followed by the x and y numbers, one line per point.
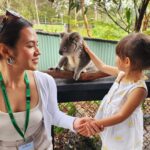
pixel 48 94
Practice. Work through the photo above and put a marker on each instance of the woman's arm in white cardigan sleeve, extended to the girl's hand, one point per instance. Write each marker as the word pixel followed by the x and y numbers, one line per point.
pixel 60 118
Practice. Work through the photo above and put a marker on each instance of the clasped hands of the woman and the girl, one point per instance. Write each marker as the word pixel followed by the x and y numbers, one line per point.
pixel 87 126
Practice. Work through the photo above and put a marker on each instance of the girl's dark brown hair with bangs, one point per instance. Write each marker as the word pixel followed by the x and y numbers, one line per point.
pixel 136 46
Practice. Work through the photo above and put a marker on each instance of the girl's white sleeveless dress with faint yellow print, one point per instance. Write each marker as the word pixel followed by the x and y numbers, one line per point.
pixel 127 135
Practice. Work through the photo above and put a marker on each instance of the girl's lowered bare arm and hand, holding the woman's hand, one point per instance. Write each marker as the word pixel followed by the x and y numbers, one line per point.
pixel 134 100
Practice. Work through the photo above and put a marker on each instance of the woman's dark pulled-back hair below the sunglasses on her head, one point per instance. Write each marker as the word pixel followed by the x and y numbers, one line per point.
pixel 11 31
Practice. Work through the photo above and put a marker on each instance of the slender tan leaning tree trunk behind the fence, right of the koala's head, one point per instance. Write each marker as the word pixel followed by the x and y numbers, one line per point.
pixel 85 19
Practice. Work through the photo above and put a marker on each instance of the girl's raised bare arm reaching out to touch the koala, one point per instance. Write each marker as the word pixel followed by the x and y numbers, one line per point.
pixel 100 64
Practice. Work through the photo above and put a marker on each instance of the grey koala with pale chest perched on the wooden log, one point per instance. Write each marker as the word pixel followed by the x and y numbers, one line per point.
pixel 74 57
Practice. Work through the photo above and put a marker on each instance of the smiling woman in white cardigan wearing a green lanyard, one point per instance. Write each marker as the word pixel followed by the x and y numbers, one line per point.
pixel 28 98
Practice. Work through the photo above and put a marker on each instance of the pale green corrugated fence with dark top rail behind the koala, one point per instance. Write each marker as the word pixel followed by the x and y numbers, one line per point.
pixel 49 46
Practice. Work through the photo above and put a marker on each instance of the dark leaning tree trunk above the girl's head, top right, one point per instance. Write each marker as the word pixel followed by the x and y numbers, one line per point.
pixel 141 11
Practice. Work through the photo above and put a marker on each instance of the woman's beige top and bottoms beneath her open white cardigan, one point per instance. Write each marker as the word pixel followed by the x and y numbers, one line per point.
pixel 35 131
